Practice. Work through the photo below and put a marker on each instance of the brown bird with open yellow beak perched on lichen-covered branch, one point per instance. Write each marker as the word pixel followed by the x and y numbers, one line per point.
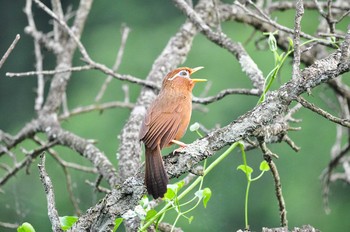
pixel 165 123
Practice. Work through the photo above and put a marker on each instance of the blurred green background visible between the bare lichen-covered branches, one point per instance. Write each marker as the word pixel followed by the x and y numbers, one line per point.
pixel 23 197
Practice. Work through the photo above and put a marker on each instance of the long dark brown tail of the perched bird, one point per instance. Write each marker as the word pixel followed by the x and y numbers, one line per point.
pixel 156 178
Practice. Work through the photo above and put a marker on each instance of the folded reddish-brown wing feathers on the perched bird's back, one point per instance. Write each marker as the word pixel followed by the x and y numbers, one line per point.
pixel 160 127
